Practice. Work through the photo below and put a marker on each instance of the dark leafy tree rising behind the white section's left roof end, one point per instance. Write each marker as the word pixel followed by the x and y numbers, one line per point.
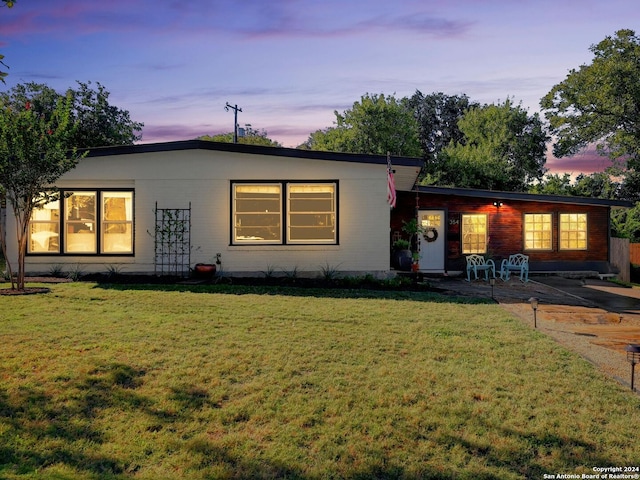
pixel 97 122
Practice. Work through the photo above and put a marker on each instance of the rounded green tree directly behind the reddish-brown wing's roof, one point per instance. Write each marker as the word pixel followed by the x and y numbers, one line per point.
pixel 503 148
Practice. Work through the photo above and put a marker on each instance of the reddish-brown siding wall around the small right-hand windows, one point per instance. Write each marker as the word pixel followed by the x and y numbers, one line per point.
pixel 506 229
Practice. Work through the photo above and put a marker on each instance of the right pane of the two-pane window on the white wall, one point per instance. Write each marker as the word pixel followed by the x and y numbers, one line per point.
pixel 312 213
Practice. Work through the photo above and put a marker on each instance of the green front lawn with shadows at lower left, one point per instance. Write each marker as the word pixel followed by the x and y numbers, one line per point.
pixel 100 382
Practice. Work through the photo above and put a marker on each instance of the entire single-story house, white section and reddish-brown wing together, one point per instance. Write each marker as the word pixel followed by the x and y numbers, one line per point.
pixel 161 208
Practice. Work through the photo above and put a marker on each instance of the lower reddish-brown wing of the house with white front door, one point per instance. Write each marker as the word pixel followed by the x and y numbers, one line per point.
pixel 558 233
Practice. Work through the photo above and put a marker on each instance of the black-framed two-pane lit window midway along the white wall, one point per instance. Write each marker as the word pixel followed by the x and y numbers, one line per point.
pixel 284 213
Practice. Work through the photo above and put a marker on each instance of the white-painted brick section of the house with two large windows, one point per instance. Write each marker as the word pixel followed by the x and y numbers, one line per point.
pixel 161 208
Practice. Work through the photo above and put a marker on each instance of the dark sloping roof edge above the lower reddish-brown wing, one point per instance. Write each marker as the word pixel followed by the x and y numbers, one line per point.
pixel 525 197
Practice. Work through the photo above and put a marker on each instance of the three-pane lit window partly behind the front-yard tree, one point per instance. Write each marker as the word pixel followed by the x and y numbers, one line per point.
pixel 84 222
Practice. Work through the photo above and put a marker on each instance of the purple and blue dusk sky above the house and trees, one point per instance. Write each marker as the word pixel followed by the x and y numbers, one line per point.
pixel 290 63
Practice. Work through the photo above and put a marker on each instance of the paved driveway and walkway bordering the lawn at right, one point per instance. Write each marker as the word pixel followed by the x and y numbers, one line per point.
pixel 595 318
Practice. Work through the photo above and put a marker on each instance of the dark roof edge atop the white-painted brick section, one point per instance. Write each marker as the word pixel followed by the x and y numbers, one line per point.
pixel 251 149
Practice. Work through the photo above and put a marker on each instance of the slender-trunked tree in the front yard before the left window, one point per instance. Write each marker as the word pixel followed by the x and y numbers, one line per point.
pixel 34 152
